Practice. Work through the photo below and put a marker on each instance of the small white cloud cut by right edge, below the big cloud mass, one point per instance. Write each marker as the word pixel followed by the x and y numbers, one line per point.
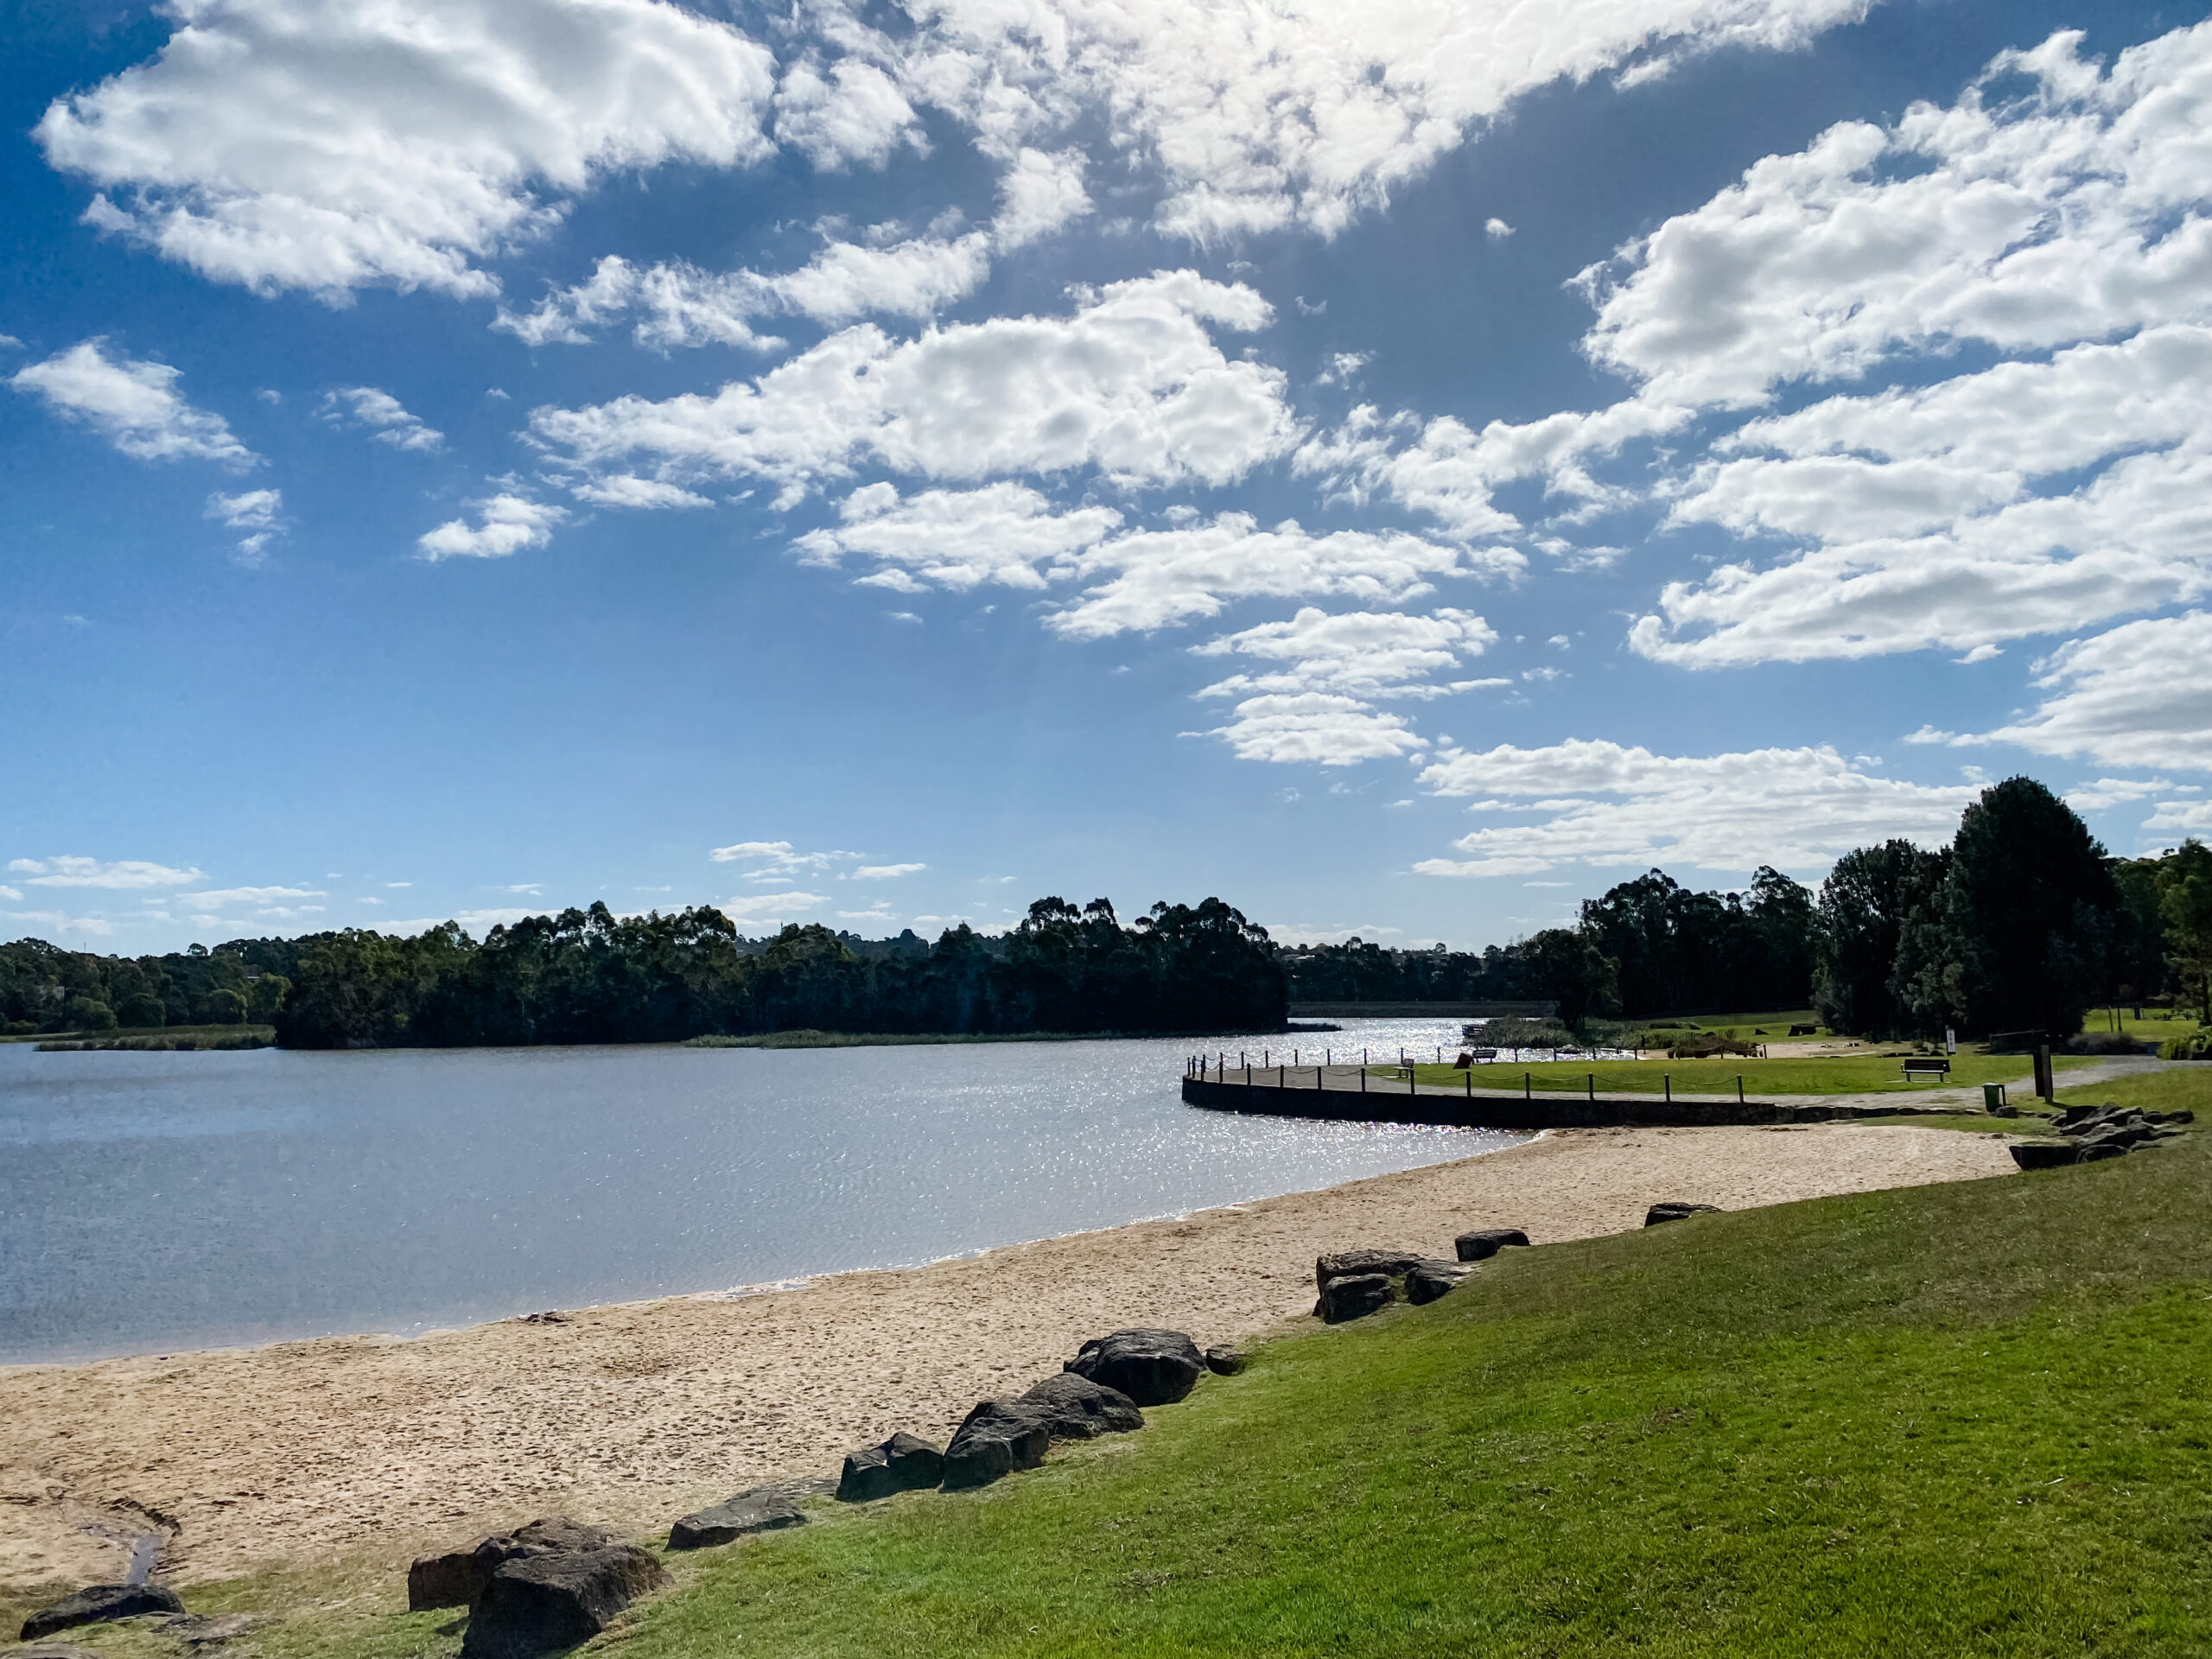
pixel 2138 696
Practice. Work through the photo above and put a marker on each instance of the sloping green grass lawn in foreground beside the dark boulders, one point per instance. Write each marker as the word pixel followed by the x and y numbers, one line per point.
pixel 1945 1421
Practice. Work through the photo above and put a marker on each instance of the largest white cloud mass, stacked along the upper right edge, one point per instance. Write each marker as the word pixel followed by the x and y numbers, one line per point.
pixel 2069 225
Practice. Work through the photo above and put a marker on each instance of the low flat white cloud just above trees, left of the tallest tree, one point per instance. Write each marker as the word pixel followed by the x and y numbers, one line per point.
pixel 1603 804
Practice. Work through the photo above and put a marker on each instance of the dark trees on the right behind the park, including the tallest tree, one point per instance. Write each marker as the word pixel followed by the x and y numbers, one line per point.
pixel 2021 924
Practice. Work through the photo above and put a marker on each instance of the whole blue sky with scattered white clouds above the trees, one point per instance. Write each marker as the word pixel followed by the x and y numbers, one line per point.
pixel 1399 468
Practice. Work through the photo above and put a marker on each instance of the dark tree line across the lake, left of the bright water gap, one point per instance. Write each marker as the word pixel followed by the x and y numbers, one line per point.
pixel 592 977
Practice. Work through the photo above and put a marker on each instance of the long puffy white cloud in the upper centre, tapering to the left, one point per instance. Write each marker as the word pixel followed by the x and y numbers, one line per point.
pixel 1131 386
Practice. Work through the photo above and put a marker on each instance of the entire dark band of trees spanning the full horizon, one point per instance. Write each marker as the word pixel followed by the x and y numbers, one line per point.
pixel 2018 926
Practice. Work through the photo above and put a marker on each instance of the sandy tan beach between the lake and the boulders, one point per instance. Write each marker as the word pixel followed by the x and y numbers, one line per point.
pixel 638 1412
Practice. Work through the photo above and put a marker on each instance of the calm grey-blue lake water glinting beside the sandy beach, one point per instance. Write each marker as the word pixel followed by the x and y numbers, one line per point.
pixel 160 1202
